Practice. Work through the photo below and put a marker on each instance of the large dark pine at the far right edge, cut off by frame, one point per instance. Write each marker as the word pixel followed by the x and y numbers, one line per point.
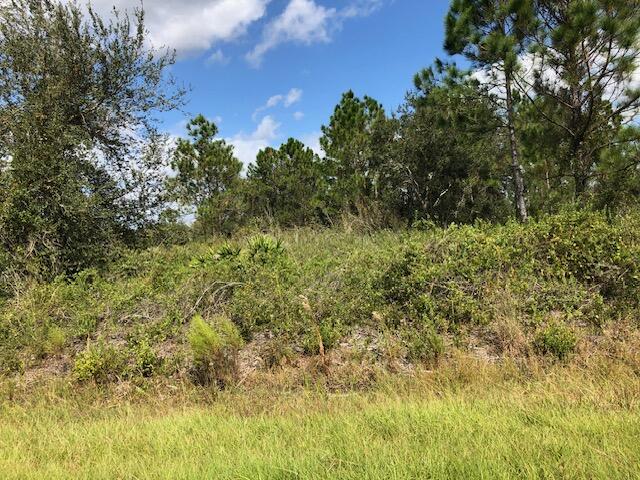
pixel 587 54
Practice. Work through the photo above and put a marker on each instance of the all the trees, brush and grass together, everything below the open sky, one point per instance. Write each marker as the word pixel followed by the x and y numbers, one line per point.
pixel 471 261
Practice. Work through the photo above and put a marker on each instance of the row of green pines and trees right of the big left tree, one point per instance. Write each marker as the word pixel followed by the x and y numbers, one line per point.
pixel 545 117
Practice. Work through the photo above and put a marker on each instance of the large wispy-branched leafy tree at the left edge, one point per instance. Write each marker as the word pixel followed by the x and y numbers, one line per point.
pixel 71 82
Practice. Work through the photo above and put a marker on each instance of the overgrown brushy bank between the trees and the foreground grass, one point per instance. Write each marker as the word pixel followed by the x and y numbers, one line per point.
pixel 388 300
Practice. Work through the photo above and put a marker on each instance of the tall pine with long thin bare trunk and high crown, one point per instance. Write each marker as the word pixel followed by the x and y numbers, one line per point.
pixel 492 34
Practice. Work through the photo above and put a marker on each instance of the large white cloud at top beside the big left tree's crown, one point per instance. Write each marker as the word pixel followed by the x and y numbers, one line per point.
pixel 195 25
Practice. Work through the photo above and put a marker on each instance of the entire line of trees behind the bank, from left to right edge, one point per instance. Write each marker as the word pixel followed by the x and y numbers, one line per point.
pixel 545 117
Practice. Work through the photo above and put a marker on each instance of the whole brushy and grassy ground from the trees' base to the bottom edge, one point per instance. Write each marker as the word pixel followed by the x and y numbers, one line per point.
pixel 96 372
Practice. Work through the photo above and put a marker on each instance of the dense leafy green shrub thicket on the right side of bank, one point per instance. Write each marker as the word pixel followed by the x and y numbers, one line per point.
pixel 570 262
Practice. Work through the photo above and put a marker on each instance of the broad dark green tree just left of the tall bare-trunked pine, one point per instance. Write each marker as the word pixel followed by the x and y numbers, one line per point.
pixel 446 162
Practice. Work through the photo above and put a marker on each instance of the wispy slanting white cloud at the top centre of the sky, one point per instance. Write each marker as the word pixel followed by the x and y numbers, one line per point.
pixel 306 22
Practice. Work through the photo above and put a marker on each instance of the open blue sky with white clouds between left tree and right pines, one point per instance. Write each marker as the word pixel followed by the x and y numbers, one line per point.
pixel 267 70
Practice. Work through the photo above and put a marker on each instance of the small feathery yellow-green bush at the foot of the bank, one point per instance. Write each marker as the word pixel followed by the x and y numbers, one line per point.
pixel 214 348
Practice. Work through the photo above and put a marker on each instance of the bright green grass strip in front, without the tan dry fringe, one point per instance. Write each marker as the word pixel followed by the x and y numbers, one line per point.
pixel 503 433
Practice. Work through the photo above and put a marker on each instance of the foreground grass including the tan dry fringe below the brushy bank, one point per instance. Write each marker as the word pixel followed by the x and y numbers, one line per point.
pixel 468 419
